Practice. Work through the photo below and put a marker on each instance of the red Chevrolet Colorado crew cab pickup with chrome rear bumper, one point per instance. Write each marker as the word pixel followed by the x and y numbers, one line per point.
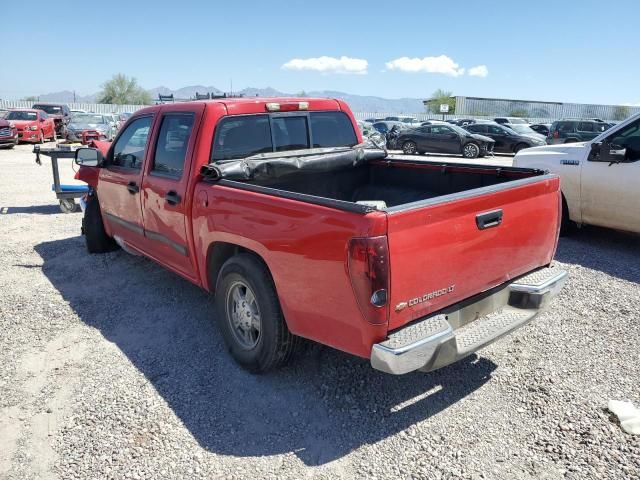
pixel 300 230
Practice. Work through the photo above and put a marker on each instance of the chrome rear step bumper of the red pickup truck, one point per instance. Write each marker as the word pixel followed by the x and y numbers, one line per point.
pixel 440 340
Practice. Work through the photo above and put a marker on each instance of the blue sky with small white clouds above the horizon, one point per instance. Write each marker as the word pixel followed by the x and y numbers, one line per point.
pixel 564 51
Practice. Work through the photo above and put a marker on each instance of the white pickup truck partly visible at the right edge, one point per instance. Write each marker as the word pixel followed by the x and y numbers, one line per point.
pixel 599 179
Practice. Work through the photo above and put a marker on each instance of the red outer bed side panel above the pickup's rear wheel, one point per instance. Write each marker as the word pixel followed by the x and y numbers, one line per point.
pixel 305 247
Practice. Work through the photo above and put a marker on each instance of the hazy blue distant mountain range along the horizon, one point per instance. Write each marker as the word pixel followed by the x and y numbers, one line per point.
pixel 358 103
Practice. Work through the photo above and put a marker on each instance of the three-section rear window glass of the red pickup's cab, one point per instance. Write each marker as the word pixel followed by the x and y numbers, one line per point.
pixel 245 135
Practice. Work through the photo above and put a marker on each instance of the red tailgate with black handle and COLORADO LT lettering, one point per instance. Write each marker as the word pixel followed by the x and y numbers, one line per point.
pixel 440 253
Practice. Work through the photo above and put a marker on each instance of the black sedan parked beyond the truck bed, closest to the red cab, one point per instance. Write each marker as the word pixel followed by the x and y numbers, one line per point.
pixel 444 139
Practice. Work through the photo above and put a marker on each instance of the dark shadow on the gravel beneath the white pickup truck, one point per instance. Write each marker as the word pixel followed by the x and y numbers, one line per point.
pixel 612 252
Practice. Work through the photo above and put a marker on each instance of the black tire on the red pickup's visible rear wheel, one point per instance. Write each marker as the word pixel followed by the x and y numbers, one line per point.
pixel 274 345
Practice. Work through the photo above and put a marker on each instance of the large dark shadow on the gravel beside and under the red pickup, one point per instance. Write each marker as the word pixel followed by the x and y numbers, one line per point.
pixel 322 407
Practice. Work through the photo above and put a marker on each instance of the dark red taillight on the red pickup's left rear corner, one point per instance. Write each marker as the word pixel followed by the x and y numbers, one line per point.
pixel 369 272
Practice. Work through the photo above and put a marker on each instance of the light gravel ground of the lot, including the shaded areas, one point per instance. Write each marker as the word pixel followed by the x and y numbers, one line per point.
pixel 111 367
